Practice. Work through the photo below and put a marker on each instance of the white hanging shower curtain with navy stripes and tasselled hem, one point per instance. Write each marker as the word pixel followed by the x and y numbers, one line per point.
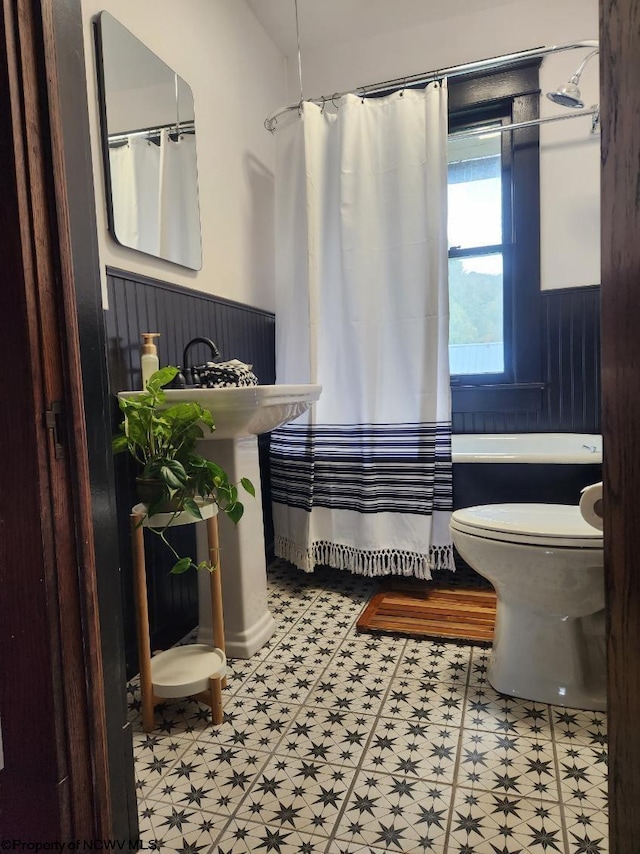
pixel 363 481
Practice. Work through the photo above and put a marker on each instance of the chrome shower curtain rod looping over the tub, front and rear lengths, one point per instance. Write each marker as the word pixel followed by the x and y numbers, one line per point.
pixel 453 71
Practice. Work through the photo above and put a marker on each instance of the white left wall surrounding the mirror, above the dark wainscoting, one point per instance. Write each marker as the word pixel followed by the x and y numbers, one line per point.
pixel 237 75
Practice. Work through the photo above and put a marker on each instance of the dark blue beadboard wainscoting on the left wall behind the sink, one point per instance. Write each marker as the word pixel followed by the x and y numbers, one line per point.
pixel 140 304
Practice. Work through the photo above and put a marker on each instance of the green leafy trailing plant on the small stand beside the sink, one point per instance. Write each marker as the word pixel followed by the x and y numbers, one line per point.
pixel 173 478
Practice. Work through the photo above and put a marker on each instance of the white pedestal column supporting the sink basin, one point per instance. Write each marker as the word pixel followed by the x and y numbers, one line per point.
pixel 247 620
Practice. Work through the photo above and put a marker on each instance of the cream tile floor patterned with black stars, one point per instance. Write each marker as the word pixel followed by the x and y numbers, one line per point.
pixel 343 743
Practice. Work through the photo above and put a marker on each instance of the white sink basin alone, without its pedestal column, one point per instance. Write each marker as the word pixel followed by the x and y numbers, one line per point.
pixel 246 411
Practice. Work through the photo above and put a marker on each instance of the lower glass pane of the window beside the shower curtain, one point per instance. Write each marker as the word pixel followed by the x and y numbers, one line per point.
pixel 476 337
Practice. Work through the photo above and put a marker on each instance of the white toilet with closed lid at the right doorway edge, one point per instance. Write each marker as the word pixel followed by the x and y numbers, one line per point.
pixel 546 565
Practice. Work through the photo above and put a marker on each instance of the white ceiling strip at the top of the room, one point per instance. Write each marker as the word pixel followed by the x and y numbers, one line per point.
pixel 324 22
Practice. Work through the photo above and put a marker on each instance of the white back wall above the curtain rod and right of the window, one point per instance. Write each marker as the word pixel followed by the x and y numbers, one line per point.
pixel 570 157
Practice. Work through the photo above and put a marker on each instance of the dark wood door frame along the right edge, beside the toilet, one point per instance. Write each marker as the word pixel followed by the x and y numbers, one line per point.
pixel 620 239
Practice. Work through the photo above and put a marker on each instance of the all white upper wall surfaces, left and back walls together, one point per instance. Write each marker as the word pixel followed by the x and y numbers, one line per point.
pixel 238 77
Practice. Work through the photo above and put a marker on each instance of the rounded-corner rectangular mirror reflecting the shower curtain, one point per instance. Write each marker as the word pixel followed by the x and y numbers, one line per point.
pixel 149 147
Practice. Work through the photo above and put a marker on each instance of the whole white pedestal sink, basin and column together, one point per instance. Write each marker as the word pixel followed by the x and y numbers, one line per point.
pixel 240 415
